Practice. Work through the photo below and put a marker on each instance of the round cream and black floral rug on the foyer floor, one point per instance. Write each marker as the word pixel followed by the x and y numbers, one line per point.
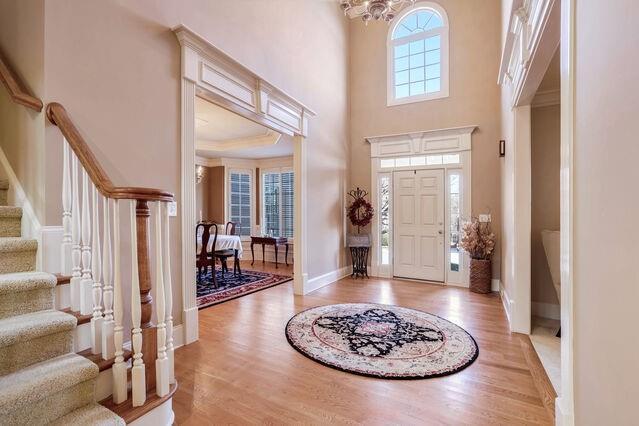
pixel 384 341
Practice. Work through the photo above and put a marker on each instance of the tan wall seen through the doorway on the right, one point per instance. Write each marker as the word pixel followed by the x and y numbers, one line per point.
pixel 545 144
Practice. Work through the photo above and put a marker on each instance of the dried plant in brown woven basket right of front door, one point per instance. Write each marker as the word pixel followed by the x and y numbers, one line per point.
pixel 479 242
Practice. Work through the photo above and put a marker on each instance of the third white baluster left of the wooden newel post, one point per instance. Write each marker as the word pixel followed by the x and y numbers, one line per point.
pixel 108 348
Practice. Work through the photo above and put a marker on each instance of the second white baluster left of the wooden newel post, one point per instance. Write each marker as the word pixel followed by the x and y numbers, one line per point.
pixel 119 367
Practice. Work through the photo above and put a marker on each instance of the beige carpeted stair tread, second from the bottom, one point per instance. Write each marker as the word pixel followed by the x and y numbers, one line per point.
pixel 44 380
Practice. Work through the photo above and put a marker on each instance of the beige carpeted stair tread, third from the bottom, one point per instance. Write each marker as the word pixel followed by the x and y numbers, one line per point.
pixel 31 326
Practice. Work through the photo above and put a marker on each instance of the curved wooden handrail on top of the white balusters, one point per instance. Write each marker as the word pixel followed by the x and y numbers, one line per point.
pixel 58 116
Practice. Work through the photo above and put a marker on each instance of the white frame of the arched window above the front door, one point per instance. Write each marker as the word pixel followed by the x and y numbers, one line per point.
pixel 442 31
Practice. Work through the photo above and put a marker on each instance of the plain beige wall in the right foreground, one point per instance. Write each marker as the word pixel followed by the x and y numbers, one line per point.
pixel 606 278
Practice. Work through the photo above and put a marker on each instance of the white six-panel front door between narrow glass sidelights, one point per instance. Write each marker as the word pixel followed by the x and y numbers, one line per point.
pixel 418 237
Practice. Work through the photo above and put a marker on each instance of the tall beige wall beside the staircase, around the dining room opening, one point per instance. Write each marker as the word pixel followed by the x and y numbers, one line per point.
pixel 115 66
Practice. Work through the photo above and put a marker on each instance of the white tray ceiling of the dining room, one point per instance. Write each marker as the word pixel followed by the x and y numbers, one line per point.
pixel 216 124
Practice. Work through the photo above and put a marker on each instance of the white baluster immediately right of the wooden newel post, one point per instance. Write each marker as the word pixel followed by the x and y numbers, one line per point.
pixel 162 362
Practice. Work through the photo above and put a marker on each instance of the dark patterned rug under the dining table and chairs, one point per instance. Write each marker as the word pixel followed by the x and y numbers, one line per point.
pixel 231 287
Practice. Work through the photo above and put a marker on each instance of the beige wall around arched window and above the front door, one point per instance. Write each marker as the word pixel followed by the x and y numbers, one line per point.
pixel 474 98
